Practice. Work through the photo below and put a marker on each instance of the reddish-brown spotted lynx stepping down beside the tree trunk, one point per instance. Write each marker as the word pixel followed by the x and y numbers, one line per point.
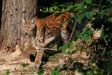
pixel 48 29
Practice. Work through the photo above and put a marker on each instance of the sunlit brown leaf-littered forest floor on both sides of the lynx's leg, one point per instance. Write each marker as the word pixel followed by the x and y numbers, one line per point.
pixel 12 63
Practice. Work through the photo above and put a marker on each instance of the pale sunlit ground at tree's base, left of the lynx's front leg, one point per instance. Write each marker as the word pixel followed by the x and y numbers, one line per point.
pixel 9 65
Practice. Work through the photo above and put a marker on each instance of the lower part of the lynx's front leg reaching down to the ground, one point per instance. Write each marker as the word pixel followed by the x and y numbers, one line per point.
pixel 38 58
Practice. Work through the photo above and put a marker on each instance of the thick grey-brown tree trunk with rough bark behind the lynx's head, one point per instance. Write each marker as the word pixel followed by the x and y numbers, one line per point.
pixel 12 13
